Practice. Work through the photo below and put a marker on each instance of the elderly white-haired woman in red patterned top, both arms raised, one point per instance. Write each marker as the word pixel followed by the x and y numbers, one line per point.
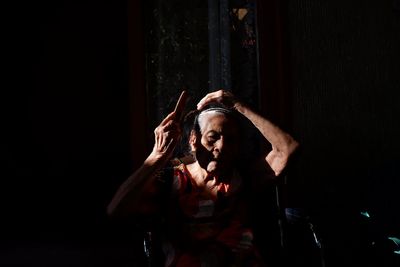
pixel 203 201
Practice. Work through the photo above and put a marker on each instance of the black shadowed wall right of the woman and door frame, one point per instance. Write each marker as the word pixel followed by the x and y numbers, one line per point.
pixel 344 81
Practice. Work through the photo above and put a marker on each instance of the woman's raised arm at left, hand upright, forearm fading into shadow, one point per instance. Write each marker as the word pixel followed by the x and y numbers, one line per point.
pixel 138 194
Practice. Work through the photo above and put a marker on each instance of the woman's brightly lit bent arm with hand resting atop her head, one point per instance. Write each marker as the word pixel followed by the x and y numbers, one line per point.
pixel 283 145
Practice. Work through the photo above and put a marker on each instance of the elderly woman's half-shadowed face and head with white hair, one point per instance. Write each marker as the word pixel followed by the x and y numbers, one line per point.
pixel 216 147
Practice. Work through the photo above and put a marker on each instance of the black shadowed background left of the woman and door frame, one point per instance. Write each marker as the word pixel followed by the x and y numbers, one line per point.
pixel 67 142
